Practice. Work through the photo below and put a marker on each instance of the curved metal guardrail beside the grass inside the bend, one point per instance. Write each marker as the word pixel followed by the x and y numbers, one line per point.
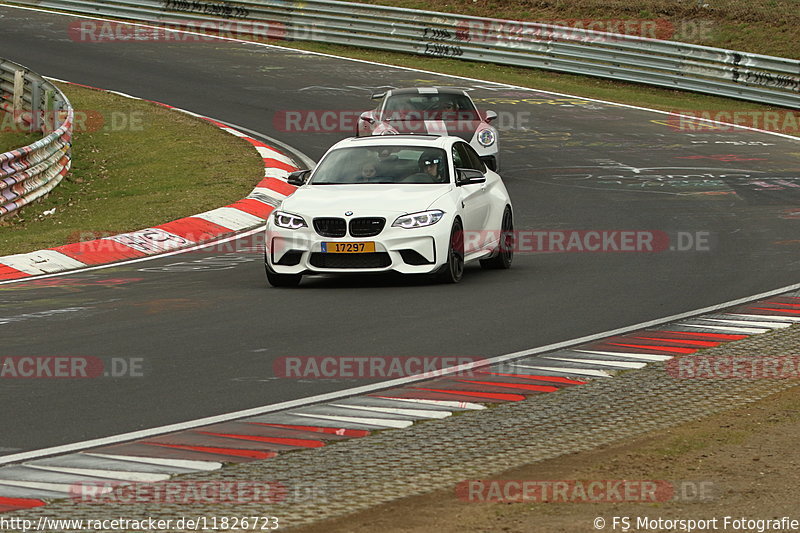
pixel 34 105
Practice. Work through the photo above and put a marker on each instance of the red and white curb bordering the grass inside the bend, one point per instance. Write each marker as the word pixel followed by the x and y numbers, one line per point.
pixel 248 213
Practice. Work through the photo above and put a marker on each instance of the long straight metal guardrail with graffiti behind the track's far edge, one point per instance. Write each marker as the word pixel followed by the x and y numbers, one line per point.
pixel 760 78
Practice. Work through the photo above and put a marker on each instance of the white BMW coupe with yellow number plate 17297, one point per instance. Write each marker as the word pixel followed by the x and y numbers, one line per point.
pixel 414 204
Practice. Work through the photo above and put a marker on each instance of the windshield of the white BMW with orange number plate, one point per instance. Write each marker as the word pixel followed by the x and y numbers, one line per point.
pixel 382 164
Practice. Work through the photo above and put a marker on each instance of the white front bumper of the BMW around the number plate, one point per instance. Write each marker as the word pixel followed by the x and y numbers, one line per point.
pixel 407 251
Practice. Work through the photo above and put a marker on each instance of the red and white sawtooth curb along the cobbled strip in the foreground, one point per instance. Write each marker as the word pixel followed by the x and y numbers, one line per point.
pixel 163 454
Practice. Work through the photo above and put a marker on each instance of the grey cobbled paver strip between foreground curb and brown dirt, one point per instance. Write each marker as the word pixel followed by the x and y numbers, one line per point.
pixel 355 474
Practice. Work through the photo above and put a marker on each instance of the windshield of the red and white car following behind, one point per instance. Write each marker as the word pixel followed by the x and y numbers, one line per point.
pixel 434 106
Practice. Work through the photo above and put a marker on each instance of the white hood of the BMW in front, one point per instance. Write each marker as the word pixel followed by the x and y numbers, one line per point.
pixel 363 200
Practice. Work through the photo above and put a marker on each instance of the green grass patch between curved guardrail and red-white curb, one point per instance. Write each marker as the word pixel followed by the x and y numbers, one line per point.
pixel 135 165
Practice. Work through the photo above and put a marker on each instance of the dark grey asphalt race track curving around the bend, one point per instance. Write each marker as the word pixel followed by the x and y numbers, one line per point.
pixel 207 331
